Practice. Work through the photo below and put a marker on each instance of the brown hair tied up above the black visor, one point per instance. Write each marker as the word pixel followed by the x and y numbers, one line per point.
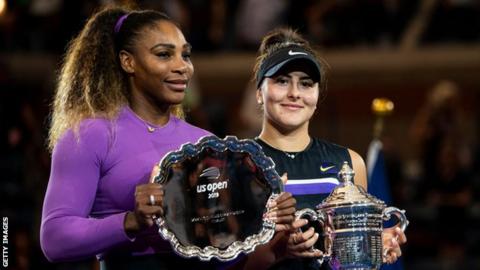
pixel 284 37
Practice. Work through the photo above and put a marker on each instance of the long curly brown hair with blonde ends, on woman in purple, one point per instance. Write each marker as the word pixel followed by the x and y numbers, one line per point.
pixel 91 82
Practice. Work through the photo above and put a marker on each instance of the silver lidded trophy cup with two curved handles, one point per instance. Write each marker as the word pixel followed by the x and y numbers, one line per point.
pixel 352 223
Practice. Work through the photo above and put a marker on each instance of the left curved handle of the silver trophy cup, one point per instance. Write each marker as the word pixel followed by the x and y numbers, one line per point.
pixel 321 218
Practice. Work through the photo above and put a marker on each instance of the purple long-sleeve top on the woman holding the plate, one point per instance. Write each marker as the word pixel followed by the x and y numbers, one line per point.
pixel 92 183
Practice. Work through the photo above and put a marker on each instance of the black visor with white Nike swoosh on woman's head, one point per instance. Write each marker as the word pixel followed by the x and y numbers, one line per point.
pixel 273 63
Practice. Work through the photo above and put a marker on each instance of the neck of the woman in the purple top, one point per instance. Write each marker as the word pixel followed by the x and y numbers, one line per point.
pixel 149 112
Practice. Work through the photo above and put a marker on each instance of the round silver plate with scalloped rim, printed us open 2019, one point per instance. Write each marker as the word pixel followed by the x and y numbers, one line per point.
pixel 216 193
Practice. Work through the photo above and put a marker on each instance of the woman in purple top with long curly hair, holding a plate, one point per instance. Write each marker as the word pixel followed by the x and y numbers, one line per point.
pixel 117 111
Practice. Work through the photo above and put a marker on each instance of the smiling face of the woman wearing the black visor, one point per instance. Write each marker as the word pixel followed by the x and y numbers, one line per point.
pixel 289 100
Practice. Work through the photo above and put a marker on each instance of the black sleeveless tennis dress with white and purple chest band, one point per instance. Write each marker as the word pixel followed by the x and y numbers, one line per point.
pixel 312 175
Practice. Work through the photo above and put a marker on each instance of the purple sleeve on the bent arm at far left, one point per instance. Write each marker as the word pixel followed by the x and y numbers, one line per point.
pixel 67 232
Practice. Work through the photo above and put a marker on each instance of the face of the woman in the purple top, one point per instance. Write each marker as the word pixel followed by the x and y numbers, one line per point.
pixel 159 66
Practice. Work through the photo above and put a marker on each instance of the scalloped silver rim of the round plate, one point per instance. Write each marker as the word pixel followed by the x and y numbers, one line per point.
pixel 233 144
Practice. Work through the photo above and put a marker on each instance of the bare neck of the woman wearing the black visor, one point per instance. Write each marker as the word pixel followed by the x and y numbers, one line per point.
pixel 289 140
